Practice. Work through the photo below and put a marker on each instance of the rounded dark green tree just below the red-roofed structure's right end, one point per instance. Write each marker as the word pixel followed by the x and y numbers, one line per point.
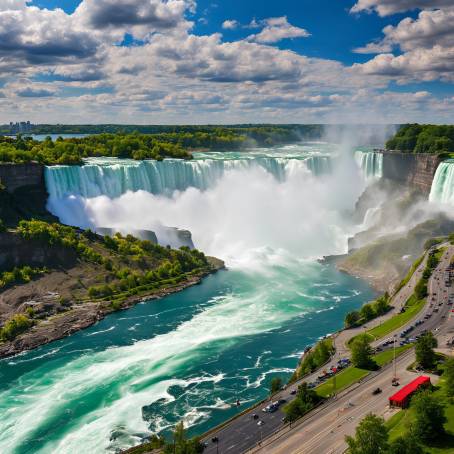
pixel 429 416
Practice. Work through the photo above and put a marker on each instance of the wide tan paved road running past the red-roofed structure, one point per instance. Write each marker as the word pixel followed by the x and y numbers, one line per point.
pixel 324 430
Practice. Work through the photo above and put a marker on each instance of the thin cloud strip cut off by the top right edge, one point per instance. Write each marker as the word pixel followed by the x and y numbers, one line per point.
pixel 388 7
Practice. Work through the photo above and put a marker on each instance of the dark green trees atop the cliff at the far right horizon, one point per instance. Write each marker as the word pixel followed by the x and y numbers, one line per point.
pixel 415 138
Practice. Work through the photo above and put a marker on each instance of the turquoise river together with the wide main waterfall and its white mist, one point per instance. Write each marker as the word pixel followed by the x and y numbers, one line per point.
pixel 269 214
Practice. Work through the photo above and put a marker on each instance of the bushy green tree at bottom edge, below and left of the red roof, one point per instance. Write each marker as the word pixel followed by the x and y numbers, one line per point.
pixel 371 437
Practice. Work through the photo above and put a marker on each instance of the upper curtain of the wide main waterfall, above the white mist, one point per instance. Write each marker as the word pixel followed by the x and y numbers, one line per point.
pixel 113 177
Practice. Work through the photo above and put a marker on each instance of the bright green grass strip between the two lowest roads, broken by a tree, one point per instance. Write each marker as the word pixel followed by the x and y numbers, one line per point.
pixel 353 374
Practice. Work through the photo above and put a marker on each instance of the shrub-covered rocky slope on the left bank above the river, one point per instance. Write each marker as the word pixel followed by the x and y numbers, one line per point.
pixel 81 267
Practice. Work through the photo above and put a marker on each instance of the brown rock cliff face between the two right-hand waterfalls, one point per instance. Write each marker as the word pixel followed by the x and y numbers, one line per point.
pixel 415 170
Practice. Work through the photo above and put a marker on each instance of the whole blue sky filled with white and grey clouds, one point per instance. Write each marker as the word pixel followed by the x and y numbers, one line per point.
pixel 236 61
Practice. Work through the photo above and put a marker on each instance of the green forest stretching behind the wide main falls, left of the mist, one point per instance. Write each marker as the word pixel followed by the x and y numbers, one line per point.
pixel 176 142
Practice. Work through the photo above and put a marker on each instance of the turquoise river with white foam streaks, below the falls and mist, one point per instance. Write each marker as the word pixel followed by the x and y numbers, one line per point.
pixel 188 356
